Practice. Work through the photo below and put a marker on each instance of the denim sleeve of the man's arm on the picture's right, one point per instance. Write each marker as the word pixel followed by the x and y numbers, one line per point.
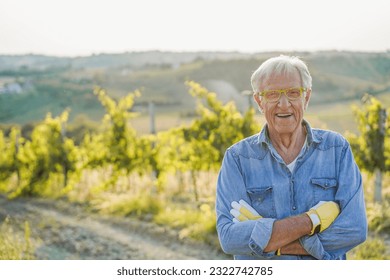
pixel 350 227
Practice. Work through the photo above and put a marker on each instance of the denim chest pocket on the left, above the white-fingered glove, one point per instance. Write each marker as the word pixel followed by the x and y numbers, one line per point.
pixel 262 200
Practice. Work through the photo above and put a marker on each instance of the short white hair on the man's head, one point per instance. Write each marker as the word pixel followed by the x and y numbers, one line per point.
pixel 280 65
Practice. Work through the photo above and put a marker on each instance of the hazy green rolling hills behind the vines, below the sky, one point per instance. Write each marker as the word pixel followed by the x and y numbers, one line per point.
pixel 56 83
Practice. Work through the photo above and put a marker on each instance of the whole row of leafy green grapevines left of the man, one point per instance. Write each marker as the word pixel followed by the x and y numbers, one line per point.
pixel 116 148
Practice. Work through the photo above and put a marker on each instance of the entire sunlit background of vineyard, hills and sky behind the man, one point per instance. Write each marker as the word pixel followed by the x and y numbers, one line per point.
pixel 105 148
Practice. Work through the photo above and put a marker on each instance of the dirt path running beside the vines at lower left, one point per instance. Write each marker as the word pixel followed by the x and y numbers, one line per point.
pixel 64 231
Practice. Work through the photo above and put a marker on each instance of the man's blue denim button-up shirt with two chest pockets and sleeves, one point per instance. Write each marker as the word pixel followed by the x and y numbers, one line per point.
pixel 252 170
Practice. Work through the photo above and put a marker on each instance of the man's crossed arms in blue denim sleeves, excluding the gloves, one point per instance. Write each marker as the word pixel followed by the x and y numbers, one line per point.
pixel 291 235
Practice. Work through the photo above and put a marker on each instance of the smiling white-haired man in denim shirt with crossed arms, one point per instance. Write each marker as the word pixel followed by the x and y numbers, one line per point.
pixel 291 191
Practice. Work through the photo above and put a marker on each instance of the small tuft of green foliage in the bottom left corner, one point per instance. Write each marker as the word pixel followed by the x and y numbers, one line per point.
pixel 14 246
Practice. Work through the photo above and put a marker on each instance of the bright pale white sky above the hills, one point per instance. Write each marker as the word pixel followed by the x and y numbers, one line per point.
pixel 83 27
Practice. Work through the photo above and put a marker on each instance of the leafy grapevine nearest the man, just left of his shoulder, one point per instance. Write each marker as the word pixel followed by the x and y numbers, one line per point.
pixel 201 145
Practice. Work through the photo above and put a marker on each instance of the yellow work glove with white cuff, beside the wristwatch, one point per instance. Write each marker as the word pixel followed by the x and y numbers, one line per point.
pixel 322 215
